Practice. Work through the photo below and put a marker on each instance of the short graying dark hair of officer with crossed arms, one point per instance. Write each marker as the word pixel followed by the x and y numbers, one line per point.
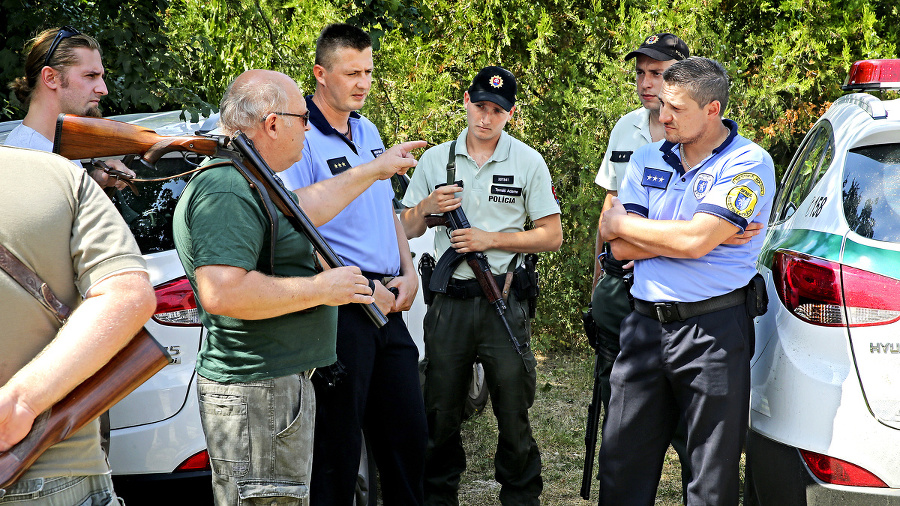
pixel 704 79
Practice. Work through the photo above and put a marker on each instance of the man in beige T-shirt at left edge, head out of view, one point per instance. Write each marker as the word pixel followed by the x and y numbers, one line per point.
pixel 68 234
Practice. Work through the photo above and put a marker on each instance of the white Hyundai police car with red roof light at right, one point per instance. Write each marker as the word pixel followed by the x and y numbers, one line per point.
pixel 825 377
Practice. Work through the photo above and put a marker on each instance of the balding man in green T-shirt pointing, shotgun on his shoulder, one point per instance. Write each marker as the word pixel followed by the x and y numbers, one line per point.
pixel 269 311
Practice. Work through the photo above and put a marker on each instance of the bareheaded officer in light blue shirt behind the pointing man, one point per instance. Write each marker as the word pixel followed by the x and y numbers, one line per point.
pixel 377 387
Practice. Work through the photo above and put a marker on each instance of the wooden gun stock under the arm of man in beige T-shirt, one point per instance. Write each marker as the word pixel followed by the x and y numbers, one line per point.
pixel 134 364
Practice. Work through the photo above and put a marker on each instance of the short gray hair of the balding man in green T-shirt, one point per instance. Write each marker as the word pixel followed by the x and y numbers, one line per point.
pixel 247 102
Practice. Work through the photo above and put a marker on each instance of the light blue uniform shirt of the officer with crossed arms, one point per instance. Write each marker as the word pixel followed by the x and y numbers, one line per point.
pixel 736 183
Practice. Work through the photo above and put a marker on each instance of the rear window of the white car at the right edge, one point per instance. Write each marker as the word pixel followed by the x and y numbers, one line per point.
pixel 871 191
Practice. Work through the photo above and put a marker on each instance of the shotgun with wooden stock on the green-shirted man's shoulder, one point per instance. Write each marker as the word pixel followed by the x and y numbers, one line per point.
pixel 81 137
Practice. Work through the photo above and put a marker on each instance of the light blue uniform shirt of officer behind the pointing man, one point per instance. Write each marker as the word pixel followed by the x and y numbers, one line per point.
pixel 363 233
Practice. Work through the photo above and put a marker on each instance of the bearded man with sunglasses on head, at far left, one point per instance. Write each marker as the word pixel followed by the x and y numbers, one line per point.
pixel 63 75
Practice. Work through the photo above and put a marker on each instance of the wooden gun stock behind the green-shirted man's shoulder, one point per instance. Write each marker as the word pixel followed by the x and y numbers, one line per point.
pixel 79 137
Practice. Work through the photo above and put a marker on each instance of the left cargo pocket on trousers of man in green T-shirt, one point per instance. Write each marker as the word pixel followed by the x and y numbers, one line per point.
pixel 225 422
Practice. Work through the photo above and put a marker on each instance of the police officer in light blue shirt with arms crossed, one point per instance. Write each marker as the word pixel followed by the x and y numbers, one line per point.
pixel 684 216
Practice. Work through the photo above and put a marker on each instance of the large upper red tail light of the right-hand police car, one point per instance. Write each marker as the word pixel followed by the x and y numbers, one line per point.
pixel 827 293
